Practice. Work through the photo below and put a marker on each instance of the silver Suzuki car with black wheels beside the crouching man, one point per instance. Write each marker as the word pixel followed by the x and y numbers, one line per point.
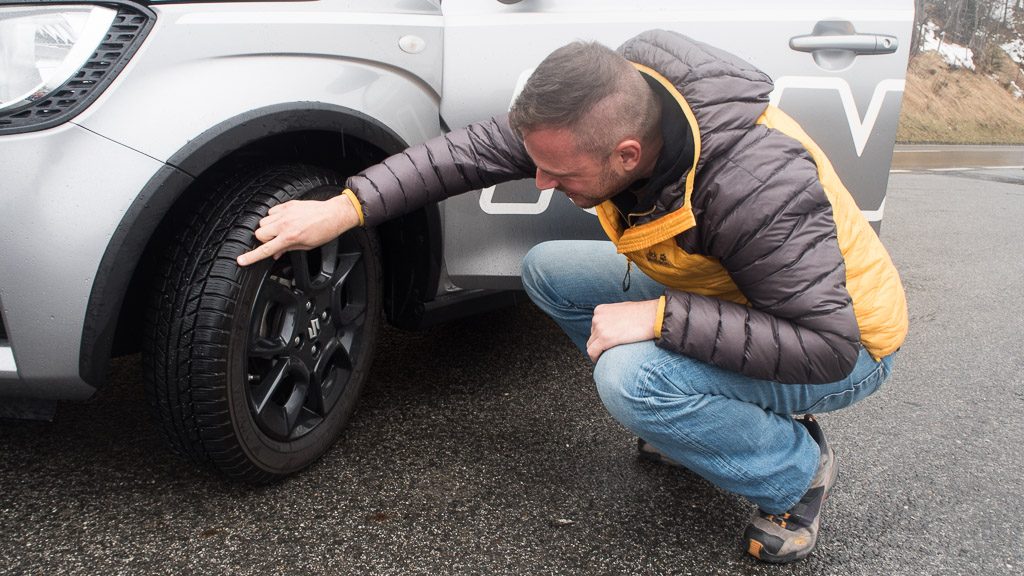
pixel 141 143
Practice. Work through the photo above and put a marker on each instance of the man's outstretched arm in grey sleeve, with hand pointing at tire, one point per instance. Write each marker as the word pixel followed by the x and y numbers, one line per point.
pixel 479 156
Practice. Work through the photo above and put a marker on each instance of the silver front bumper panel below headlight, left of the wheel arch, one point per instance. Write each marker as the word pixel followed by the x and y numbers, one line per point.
pixel 65 190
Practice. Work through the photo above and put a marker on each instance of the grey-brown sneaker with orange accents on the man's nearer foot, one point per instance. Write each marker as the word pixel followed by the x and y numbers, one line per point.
pixel 792 537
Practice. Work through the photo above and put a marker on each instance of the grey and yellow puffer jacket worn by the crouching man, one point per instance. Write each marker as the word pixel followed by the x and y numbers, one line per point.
pixel 771 269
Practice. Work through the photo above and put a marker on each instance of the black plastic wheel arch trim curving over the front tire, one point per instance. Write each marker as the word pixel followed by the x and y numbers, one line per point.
pixel 141 221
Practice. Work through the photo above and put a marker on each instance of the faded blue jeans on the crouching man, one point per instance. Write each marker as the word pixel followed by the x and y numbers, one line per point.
pixel 735 431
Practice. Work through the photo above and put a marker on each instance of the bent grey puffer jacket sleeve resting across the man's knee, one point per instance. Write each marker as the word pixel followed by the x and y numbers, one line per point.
pixel 777 237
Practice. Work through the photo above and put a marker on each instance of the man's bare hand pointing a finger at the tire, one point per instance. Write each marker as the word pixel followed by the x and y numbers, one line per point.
pixel 302 225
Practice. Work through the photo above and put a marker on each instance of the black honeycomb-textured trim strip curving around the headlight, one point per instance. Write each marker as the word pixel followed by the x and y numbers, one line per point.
pixel 126 34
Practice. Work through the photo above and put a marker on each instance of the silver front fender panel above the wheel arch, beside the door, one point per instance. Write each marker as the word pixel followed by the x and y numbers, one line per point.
pixel 327 52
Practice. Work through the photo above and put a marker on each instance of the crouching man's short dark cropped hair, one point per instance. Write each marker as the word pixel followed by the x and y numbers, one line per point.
pixel 592 91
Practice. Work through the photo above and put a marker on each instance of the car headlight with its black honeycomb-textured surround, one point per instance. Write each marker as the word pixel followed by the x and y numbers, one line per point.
pixel 57 59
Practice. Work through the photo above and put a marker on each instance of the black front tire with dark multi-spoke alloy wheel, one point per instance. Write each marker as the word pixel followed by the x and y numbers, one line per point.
pixel 255 372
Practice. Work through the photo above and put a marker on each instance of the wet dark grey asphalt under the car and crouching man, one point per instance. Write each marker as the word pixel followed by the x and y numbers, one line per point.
pixel 483 448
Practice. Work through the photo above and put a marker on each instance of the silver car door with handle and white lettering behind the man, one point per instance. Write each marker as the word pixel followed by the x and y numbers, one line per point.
pixel 839 69
